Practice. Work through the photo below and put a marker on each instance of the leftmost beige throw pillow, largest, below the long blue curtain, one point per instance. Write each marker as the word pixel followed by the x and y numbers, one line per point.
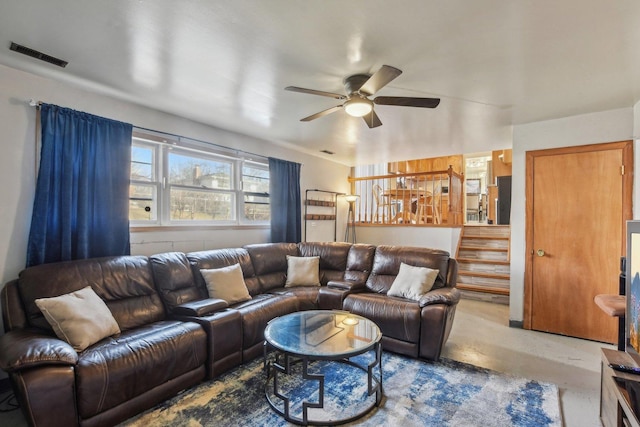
pixel 81 318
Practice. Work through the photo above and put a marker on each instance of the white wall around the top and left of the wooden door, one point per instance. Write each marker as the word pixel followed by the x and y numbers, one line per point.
pixel 607 126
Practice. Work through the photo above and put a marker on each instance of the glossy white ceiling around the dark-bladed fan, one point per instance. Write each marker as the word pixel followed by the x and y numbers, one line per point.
pixel 493 62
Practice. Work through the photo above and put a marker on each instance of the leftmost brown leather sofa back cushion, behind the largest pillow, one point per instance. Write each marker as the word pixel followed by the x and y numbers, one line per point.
pixel 125 283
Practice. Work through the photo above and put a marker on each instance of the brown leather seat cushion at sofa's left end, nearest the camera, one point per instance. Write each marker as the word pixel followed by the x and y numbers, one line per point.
pixel 123 367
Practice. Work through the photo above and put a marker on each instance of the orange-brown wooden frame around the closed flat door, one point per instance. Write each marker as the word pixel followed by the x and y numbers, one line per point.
pixel 627 205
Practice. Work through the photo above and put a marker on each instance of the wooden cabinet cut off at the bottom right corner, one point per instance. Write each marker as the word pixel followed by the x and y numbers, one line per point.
pixel 615 407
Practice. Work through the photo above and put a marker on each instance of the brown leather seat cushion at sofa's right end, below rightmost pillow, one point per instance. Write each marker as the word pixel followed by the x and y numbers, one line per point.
pixel 397 318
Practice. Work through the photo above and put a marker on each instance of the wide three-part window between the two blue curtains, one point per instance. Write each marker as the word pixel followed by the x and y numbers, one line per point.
pixel 190 184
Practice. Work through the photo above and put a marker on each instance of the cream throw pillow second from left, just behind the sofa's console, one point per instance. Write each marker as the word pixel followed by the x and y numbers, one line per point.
pixel 226 283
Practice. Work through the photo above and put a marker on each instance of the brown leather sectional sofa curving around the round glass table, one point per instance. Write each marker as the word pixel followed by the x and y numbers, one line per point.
pixel 173 335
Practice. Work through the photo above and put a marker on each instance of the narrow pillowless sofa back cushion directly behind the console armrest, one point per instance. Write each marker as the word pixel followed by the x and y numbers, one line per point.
pixel 174 279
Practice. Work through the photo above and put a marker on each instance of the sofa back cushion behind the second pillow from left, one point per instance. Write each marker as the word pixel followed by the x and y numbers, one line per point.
pixel 218 258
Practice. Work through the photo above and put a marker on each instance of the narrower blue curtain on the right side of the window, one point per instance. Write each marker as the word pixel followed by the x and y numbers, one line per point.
pixel 284 197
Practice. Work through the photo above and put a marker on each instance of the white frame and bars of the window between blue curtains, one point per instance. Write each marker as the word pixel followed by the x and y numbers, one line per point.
pixel 164 145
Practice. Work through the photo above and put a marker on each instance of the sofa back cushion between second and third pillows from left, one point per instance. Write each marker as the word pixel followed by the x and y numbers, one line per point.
pixel 270 263
